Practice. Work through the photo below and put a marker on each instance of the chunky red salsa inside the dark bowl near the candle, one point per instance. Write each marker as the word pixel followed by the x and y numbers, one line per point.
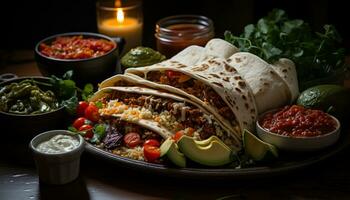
pixel 76 47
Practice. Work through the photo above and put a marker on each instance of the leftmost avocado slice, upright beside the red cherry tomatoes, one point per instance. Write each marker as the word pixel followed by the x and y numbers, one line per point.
pixel 170 149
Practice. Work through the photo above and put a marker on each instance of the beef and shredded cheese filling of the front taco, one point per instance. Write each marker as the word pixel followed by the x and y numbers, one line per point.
pixel 175 116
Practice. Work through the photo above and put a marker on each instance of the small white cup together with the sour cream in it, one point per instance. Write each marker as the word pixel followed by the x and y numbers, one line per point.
pixel 57 155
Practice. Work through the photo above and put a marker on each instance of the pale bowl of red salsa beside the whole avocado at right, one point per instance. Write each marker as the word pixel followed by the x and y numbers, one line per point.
pixel 296 128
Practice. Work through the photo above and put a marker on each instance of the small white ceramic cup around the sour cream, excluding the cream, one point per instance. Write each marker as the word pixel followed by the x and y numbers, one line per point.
pixel 57 168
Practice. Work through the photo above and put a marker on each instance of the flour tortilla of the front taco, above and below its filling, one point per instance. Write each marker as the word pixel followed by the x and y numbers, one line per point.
pixel 155 126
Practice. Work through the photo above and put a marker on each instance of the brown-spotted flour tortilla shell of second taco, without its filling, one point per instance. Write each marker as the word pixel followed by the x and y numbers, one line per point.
pixel 222 78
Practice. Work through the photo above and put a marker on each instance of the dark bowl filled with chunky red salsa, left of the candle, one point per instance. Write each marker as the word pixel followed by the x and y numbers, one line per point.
pixel 92 57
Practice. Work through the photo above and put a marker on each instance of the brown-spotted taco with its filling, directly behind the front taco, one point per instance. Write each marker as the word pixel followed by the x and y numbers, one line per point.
pixel 213 84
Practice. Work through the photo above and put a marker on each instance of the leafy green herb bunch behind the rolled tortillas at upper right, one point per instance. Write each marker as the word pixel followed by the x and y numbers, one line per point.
pixel 317 55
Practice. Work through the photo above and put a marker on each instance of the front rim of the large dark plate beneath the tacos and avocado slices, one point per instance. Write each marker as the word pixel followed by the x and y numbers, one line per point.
pixel 286 163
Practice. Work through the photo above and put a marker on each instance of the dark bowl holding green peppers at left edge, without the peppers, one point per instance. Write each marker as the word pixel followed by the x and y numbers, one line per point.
pixel 22 128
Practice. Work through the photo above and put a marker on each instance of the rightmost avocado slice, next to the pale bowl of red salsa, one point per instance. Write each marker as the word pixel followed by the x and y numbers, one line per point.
pixel 257 149
